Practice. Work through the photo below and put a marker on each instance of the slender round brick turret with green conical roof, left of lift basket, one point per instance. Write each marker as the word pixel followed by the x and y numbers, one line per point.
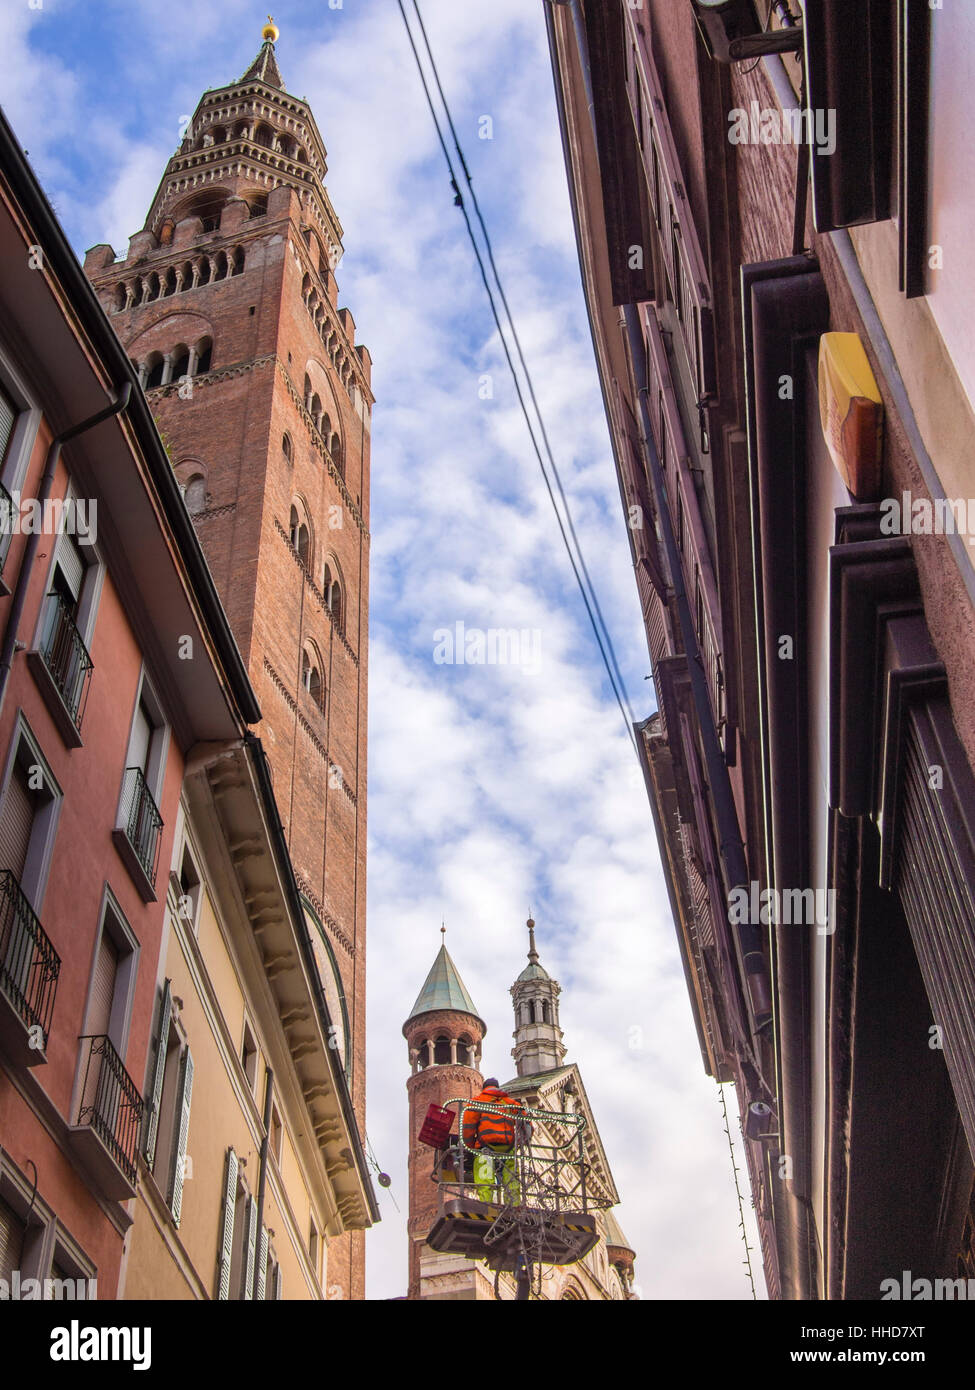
pixel 444 1035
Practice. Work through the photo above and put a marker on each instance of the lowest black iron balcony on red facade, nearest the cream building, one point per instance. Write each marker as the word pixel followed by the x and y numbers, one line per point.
pixel 106 1136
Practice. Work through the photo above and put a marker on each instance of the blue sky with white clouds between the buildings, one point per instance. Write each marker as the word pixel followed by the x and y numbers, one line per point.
pixel 492 787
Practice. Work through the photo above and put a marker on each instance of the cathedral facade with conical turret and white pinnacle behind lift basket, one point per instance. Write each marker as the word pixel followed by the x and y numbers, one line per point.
pixel 444 1033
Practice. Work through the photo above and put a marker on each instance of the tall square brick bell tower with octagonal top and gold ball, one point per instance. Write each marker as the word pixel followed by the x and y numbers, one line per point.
pixel 227 304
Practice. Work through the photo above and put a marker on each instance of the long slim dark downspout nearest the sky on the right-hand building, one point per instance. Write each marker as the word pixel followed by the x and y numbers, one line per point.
pixel 731 844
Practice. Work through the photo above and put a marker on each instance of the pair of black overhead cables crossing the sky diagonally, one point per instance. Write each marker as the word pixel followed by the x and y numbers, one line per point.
pixel 579 568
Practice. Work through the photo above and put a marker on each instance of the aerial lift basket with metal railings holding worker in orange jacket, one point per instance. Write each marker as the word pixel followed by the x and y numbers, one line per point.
pixel 538 1206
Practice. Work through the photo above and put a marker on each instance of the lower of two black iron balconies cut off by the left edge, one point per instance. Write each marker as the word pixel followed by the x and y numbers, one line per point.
pixel 30 968
